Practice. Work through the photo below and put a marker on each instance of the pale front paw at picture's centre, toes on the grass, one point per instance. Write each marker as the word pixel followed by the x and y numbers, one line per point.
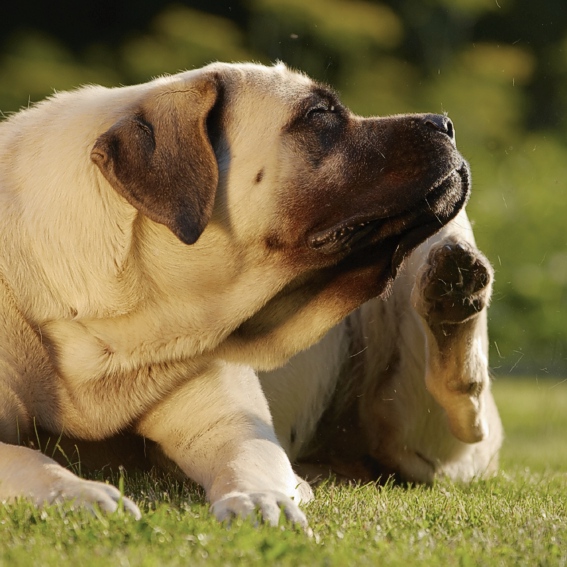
pixel 269 504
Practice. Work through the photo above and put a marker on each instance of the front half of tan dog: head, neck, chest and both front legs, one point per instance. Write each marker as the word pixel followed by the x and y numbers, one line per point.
pixel 162 242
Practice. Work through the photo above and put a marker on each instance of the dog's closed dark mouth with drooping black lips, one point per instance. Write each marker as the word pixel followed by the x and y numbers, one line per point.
pixel 410 227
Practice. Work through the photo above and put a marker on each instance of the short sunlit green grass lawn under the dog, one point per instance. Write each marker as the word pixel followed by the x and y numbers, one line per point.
pixel 518 518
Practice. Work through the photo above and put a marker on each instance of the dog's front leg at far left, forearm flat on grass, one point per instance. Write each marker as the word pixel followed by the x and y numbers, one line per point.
pixel 27 392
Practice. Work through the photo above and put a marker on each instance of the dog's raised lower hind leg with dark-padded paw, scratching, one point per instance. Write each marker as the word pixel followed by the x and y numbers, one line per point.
pixel 451 294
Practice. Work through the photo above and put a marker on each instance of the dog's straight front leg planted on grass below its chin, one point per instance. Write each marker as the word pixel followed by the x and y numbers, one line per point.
pixel 217 428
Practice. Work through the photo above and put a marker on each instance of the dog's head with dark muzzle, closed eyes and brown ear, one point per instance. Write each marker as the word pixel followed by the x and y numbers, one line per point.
pixel 291 176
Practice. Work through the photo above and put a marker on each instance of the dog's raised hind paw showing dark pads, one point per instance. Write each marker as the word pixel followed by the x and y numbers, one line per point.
pixel 454 284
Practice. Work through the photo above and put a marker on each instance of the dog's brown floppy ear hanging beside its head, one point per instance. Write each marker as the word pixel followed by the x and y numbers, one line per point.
pixel 159 156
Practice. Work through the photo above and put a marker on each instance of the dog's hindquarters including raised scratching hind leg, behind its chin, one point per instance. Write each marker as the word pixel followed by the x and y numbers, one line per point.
pixel 402 386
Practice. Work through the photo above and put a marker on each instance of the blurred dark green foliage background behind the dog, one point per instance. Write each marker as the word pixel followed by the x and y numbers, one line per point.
pixel 497 67
